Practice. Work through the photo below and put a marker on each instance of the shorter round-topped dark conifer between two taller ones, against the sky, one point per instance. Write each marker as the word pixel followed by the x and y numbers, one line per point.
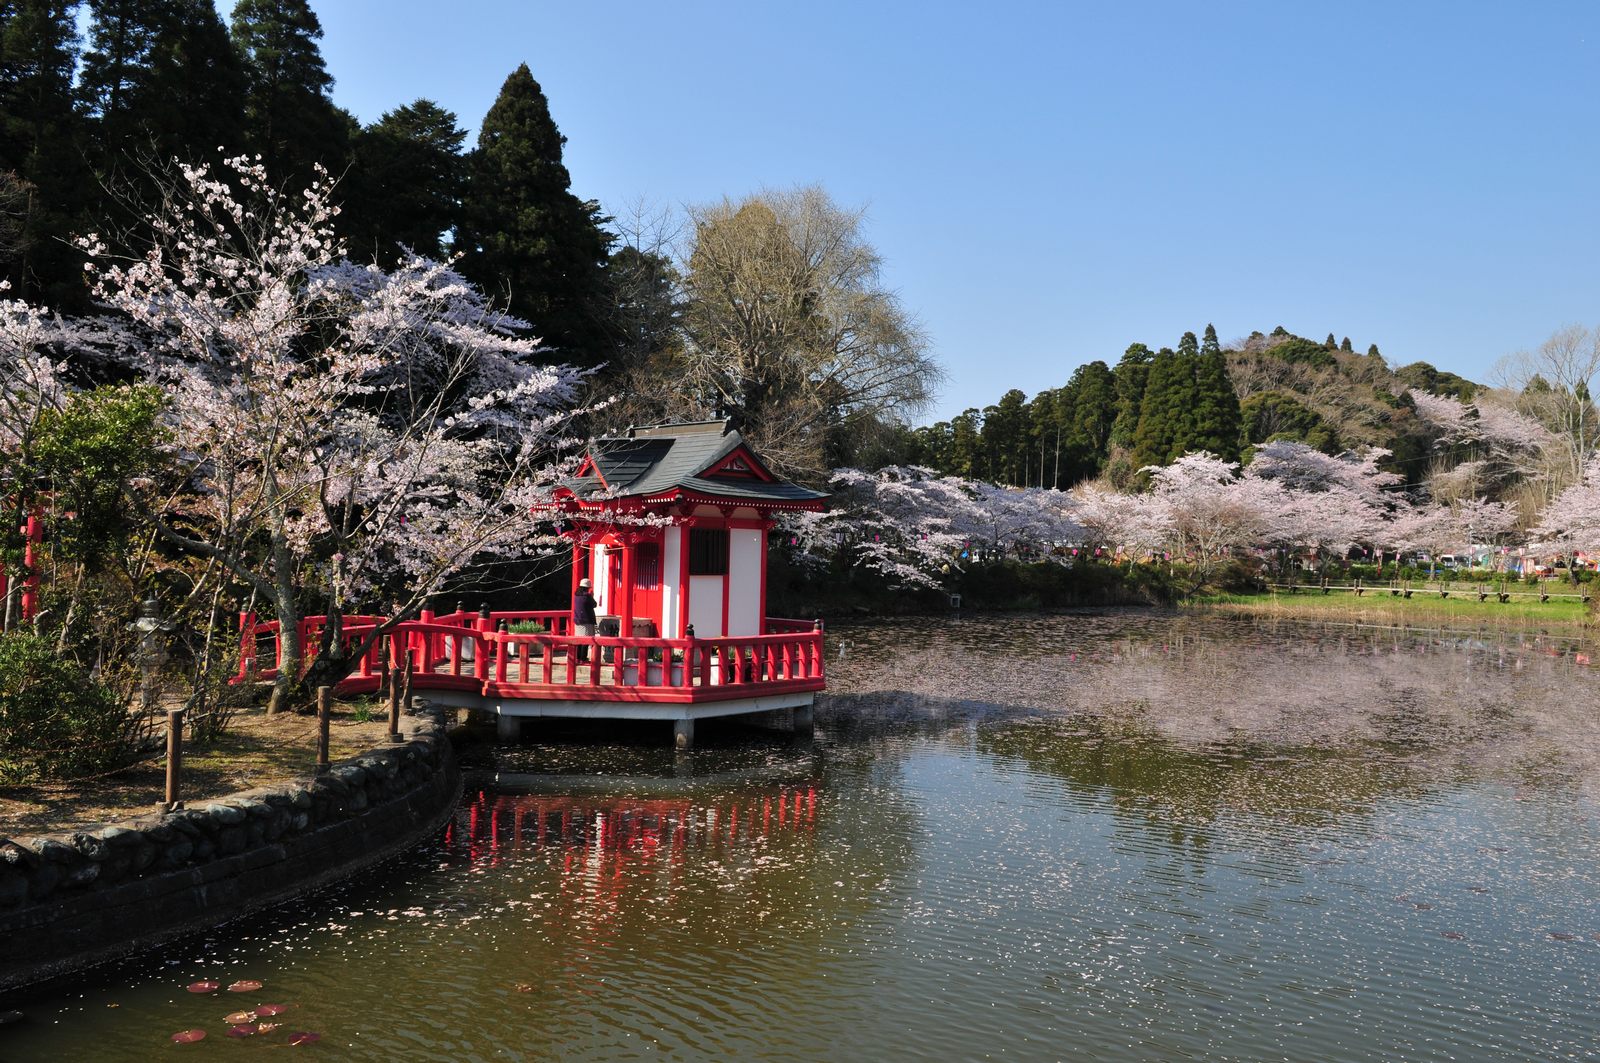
pixel 406 185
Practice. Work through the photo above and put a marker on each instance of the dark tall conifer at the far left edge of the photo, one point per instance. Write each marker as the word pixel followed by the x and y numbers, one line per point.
pixel 46 185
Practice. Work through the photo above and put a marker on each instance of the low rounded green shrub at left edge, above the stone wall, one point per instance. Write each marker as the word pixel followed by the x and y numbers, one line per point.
pixel 55 721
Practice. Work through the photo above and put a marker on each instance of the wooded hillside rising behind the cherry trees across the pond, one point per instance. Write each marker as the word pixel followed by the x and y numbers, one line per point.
pixel 1154 406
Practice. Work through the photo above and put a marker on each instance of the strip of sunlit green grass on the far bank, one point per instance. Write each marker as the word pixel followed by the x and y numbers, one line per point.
pixel 1462 608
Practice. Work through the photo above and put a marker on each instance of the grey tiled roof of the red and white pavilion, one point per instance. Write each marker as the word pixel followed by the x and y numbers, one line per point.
pixel 673 457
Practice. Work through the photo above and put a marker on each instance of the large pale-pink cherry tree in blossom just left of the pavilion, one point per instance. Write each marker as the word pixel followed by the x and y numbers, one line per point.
pixel 346 433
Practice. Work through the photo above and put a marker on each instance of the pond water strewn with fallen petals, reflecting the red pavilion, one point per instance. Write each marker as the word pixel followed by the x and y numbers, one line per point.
pixel 1089 836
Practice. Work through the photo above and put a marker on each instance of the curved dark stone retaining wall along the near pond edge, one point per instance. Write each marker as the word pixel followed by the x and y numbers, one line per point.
pixel 73 901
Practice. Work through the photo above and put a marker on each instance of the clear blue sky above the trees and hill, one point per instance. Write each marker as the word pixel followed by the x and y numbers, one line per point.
pixel 1050 183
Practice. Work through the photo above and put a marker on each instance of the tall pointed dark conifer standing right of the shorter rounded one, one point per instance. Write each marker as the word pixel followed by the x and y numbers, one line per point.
pixel 526 236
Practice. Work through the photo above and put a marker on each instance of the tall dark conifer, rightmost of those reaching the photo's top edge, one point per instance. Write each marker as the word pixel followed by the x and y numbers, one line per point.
pixel 289 113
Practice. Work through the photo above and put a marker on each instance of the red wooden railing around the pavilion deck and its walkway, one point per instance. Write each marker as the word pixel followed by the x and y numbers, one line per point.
pixel 468 652
